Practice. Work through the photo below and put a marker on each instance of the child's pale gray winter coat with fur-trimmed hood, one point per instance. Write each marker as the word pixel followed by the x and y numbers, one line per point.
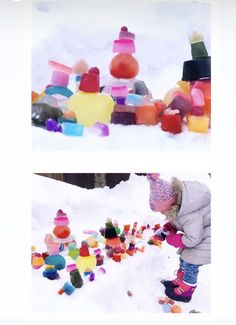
pixel 192 216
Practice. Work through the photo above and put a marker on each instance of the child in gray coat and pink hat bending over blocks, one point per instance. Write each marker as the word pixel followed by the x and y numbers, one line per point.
pixel 187 207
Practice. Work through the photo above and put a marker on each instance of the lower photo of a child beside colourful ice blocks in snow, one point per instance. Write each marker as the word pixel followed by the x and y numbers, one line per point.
pixel 121 243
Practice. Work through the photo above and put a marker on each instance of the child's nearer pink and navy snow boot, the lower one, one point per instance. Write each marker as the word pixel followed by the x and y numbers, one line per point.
pixel 181 293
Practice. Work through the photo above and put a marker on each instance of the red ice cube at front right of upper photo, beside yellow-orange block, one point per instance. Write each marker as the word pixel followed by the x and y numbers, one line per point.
pixel 171 122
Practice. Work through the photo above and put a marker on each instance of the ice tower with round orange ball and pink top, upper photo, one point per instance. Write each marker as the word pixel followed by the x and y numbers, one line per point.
pixel 133 104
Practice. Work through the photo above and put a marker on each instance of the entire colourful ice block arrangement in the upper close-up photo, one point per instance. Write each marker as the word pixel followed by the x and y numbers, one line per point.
pixel 125 100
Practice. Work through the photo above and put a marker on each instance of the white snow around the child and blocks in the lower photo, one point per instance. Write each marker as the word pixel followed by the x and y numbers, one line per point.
pixel 141 274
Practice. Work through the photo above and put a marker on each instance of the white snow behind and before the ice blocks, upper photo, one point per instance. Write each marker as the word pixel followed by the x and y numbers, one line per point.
pixel 68 31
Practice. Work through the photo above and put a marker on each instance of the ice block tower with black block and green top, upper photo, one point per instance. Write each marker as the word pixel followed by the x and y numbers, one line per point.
pixel 191 102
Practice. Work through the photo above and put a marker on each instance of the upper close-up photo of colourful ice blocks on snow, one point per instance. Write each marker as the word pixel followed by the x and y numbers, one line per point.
pixel 121 75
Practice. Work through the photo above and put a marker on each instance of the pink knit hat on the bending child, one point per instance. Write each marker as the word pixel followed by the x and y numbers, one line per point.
pixel 162 193
